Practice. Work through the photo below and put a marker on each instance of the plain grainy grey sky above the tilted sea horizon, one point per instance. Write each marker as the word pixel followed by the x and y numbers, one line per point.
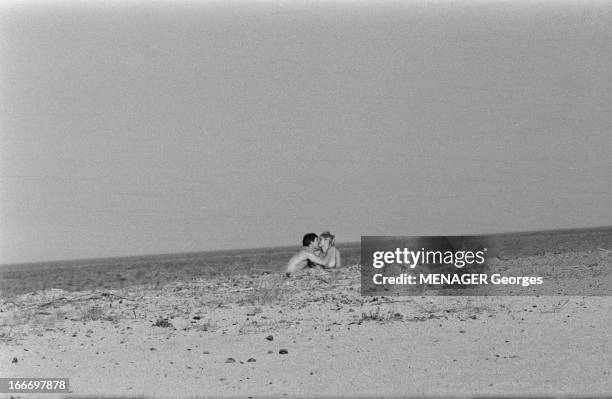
pixel 166 127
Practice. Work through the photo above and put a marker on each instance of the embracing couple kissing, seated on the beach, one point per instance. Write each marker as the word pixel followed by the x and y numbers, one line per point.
pixel 317 251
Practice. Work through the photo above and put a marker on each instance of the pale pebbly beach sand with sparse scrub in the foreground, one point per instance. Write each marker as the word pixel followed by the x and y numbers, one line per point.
pixel 338 343
